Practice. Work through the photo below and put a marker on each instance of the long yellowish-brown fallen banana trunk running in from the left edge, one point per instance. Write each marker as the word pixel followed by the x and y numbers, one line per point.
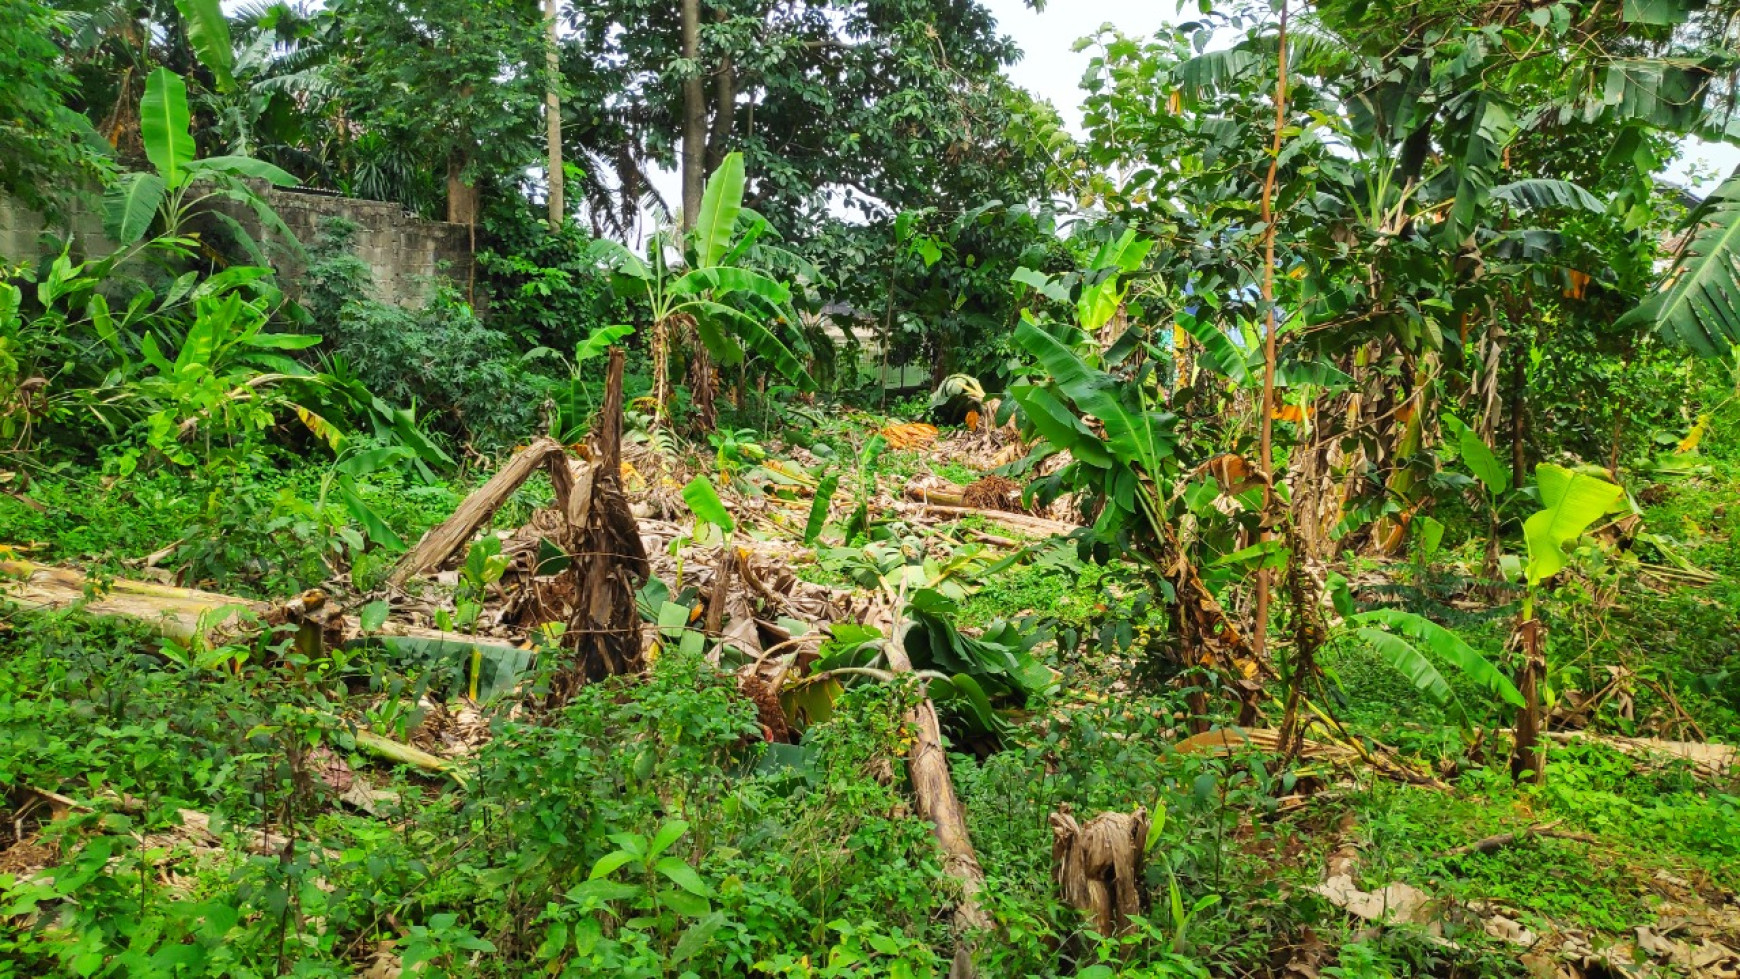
pixel 189 615
